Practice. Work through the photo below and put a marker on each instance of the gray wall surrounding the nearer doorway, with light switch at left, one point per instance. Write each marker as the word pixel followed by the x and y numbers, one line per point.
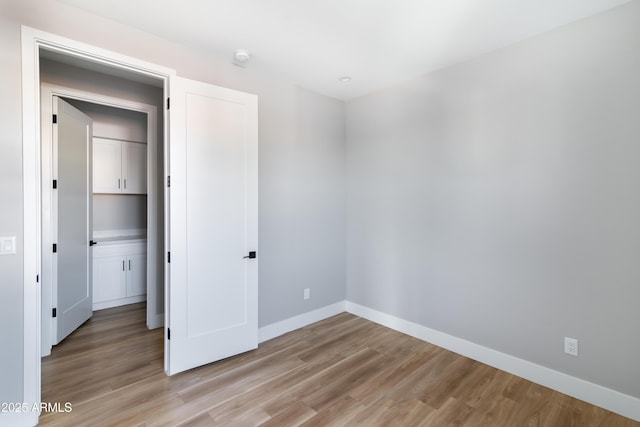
pixel 301 168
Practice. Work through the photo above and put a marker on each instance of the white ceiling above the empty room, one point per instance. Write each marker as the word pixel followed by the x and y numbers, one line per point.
pixel 379 43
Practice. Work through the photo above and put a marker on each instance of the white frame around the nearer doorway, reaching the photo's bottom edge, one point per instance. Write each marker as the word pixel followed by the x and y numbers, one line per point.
pixel 32 41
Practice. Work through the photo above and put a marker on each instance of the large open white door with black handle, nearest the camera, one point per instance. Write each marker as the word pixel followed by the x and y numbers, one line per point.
pixel 213 225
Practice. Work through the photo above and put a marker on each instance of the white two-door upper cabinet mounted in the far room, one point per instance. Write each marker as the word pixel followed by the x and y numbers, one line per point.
pixel 119 166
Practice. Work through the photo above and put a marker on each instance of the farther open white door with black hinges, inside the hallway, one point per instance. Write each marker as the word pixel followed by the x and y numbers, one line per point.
pixel 72 200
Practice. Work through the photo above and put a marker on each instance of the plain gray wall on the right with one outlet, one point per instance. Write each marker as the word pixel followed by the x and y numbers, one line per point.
pixel 499 200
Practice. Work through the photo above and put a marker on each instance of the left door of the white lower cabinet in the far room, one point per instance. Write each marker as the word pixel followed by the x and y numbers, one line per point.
pixel 109 278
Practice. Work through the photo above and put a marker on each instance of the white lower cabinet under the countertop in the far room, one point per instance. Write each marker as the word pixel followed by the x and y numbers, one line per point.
pixel 119 274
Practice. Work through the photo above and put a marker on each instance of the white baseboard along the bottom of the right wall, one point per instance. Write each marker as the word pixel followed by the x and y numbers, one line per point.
pixel 611 400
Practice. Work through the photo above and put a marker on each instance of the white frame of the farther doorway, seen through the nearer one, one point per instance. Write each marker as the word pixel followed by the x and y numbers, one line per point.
pixel 47 277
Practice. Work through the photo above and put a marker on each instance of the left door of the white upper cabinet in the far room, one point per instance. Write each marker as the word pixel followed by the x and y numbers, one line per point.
pixel 107 162
